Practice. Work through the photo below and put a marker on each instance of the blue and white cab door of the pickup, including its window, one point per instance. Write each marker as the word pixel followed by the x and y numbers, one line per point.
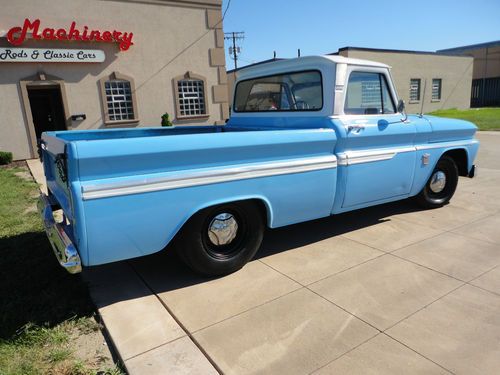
pixel 379 151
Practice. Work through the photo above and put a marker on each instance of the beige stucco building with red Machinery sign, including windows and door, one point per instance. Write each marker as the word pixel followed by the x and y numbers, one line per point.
pixel 123 64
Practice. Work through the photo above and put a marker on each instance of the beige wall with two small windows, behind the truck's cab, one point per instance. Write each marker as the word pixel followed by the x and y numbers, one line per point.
pixel 455 72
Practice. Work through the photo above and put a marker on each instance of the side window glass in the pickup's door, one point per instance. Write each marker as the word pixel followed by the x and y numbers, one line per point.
pixel 368 94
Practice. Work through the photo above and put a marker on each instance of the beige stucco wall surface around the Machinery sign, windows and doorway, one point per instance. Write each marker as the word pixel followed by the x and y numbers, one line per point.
pixel 170 39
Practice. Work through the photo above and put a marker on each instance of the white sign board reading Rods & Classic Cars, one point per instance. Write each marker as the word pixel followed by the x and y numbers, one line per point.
pixel 51 55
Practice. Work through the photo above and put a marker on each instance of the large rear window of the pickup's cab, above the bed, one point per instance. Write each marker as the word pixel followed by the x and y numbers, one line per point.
pixel 301 91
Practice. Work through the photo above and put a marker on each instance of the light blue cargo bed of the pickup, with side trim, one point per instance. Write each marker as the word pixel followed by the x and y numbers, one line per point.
pixel 127 192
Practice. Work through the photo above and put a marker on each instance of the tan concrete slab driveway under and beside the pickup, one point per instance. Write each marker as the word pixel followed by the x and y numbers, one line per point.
pixel 390 289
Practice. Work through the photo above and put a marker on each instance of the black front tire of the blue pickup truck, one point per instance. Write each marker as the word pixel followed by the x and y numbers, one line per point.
pixel 428 198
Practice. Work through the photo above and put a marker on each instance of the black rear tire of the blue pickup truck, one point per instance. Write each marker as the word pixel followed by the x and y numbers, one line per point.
pixel 197 249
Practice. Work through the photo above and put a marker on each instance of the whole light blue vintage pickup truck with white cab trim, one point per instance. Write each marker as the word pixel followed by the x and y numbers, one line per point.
pixel 307 138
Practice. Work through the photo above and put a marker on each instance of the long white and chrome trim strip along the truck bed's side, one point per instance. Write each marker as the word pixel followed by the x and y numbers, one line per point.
pixel 176 180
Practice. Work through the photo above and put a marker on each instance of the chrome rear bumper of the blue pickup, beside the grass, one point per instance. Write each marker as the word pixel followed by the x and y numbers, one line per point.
pixel 65 251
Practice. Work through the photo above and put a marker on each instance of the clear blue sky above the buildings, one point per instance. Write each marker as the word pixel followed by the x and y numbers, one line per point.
pixel 323 26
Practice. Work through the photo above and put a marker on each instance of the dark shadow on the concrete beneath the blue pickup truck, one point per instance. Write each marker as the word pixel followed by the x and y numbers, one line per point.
pixel 164 271
